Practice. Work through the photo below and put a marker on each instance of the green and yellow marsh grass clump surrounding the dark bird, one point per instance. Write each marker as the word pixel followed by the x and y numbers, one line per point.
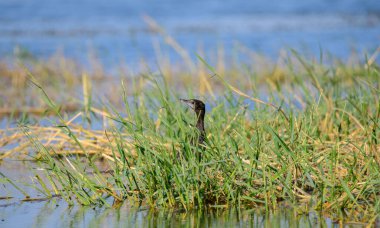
pixel 312 139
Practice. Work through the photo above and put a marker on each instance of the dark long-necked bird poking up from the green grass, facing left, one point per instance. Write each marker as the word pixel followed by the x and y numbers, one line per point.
pixel 200 110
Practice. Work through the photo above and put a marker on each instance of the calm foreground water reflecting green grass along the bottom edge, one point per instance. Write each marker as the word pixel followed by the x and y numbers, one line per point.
pixel 58 213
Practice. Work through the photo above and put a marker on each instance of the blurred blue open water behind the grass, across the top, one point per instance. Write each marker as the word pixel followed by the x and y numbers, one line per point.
pixel 115 30
